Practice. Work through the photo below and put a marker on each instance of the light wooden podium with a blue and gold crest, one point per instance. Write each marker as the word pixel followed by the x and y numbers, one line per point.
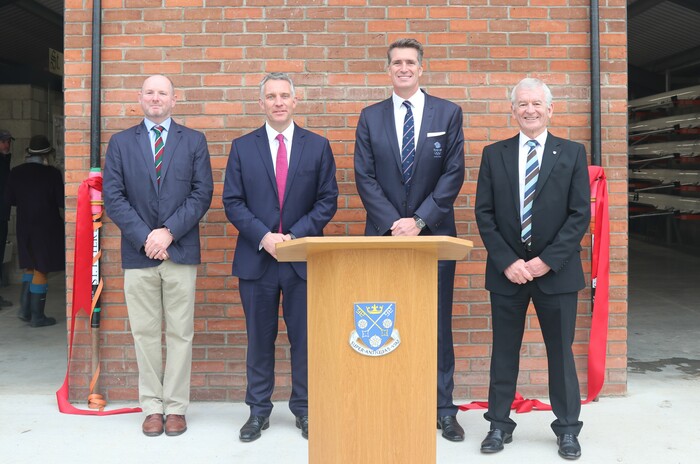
pixel 369 408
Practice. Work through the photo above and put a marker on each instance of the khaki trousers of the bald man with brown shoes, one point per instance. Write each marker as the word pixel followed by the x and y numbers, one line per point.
pixel 165 292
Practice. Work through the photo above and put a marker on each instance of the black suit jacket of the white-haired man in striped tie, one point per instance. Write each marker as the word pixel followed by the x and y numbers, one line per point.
pixel 561 213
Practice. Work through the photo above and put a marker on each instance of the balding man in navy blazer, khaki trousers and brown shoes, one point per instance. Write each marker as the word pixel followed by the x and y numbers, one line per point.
pixel 157 186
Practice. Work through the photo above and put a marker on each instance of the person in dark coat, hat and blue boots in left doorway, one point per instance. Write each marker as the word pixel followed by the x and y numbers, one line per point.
pixel 36 190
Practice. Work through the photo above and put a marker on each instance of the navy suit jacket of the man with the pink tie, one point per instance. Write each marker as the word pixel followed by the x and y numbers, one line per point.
pixel 251 199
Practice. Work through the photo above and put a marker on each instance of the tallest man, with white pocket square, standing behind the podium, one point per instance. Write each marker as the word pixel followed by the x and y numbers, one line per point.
pixel 409 169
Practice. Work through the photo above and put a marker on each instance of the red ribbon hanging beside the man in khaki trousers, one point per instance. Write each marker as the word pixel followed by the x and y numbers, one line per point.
pixel 82 289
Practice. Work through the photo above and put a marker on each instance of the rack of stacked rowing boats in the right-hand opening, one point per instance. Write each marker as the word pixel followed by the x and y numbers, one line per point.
pixel 664 167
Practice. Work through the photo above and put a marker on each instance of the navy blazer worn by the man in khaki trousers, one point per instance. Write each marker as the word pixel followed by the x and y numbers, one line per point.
pixel 137 204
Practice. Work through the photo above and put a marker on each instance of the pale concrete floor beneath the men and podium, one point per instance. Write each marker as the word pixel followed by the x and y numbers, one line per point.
pixel 650 425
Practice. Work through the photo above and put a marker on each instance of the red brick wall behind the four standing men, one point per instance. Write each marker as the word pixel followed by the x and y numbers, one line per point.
pixel 216 52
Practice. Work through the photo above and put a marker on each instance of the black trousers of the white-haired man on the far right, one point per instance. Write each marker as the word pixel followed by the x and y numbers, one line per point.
pixel 557 319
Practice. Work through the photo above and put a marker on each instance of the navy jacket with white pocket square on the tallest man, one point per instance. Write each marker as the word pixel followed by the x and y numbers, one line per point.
pixel 438 170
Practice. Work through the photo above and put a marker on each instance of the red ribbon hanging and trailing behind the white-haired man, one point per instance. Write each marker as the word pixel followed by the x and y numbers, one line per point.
pixel 600 283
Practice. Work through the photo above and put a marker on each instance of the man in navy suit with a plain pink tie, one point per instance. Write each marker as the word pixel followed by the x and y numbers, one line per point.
pixel 280 185
